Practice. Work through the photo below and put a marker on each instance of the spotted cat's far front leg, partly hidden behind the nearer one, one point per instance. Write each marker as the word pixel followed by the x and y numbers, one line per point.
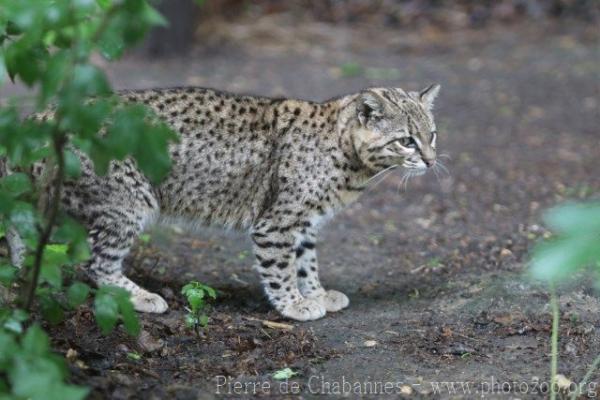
pixel 308 276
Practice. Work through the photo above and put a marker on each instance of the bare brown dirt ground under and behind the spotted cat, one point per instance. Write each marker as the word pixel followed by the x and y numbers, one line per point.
pixel 434 271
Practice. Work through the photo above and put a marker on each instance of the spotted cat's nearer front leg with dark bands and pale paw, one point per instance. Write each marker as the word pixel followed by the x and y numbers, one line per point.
pixel 276 257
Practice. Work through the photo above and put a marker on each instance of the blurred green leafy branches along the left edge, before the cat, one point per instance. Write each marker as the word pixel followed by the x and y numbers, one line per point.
pixel 48 45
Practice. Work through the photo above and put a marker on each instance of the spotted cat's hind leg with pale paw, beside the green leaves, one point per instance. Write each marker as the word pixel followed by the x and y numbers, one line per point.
pixel 115 210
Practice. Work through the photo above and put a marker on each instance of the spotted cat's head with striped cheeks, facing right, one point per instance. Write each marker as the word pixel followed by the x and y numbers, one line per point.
pixel 393 127
